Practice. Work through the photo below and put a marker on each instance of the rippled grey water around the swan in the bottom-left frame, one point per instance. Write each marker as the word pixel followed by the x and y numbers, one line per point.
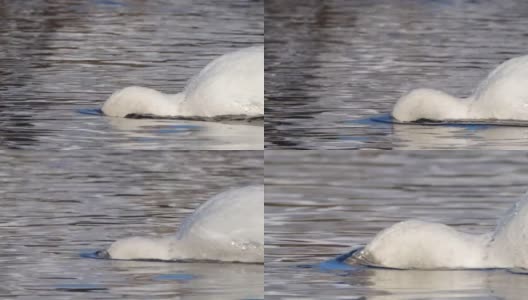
pixel 57 206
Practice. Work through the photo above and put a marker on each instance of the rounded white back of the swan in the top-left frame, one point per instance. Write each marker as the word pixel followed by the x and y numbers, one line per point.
pixel 232 84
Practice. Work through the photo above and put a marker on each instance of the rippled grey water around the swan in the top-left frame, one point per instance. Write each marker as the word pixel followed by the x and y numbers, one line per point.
pixel 57 57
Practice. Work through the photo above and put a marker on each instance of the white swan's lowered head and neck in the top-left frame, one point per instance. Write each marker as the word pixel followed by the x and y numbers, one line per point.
pixel 139 100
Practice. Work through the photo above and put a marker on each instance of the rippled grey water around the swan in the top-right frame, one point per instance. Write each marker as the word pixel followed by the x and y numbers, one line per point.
pixel 330 64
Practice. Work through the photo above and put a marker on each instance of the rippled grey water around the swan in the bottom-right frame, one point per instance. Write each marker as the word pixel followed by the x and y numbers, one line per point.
pixel 322 204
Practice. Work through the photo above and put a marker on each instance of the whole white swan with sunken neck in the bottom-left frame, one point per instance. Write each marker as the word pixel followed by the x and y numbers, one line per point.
pixel 228 227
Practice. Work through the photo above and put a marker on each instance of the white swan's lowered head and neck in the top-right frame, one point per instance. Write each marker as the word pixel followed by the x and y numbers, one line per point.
pixel 429 104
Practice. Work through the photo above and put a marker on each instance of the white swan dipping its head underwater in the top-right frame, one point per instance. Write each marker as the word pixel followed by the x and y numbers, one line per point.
pixel 503 95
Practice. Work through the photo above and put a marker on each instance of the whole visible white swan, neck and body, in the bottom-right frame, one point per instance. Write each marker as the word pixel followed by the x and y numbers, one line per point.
pixel 424 245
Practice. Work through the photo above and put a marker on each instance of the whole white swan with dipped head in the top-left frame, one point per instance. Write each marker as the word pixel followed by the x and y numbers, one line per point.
pixel 232 84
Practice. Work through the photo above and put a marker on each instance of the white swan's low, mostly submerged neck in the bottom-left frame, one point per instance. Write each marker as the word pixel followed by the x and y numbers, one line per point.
pixel 137 248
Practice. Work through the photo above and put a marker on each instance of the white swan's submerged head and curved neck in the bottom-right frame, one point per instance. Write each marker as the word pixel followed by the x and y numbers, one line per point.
pixel 416 244
